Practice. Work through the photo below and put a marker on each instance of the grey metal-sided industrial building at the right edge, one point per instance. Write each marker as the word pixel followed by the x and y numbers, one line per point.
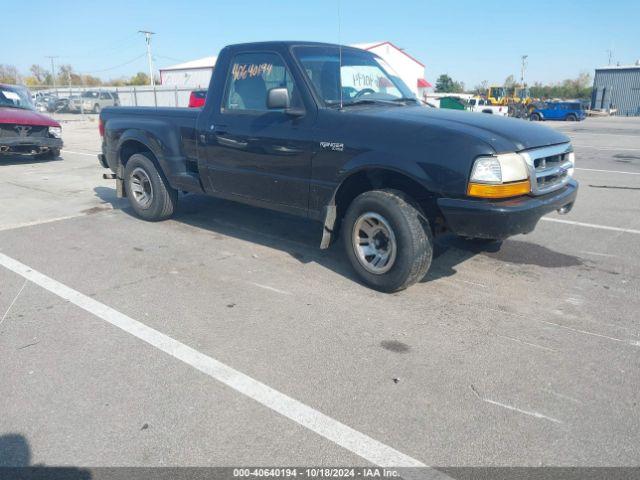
pixel 617 88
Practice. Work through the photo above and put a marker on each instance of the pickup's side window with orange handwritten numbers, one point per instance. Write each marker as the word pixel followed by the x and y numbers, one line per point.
pixel 251 76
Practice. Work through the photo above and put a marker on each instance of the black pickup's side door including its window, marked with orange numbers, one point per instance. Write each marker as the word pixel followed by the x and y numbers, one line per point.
pixel 252 152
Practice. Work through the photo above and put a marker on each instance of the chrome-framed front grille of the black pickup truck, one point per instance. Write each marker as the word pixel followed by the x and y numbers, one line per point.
pixel 550 168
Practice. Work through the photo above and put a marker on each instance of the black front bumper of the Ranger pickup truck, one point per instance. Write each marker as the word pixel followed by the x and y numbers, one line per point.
pixel 503 218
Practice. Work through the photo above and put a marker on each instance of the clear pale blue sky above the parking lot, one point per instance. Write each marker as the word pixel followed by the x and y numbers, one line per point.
pixel 469 40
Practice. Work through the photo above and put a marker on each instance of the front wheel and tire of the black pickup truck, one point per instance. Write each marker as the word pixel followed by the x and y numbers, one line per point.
pixel 398 231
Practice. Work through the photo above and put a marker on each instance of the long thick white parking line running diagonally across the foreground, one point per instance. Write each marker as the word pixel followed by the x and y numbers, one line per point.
pixel 362 445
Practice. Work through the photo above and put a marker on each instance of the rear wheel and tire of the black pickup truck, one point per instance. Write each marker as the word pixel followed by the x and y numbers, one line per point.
pixel 150 195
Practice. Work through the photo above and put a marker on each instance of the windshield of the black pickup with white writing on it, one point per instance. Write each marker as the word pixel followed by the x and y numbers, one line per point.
pixel 358 75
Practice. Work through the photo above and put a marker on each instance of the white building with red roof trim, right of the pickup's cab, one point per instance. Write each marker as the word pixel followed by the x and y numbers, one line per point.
pixel 410 70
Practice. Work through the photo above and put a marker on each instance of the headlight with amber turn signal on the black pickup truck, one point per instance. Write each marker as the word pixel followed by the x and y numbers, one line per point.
pixel 499 176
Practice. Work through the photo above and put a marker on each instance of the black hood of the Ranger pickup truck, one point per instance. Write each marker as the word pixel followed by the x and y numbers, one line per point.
pixel 501 133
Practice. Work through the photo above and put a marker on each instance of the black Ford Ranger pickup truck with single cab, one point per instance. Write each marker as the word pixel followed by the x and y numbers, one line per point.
pixel 333 134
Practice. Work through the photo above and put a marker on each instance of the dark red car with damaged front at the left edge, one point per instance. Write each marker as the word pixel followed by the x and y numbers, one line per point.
pixel 23 130
